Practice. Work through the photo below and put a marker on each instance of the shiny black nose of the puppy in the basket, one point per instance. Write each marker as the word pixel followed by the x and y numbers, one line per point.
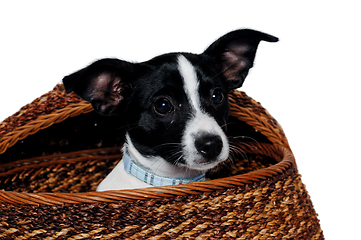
pixel 209 146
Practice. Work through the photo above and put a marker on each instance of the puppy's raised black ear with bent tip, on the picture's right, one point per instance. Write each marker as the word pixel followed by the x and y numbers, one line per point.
pixel 235 52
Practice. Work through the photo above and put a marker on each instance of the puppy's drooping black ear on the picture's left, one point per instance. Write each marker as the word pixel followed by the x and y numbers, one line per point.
pixel 105 83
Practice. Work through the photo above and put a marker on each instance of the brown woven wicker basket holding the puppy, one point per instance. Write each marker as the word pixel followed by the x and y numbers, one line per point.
pixel 54 153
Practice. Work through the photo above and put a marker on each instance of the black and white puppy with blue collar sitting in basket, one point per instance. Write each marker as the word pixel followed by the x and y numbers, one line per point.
pixel 175 105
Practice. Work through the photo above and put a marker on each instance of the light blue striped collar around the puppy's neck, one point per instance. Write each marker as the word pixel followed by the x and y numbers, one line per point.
pixel 148 177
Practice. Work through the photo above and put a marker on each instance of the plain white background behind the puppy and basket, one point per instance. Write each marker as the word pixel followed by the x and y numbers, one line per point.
pixel 309 81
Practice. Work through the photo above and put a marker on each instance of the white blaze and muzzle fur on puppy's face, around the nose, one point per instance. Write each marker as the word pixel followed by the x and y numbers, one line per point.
pixel 200 123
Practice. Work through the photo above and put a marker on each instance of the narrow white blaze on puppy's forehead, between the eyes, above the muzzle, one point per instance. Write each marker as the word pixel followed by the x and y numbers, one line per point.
pixel 190 81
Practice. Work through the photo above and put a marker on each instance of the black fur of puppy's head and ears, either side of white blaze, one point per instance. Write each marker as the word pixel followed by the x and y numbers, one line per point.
pixel 133 90
